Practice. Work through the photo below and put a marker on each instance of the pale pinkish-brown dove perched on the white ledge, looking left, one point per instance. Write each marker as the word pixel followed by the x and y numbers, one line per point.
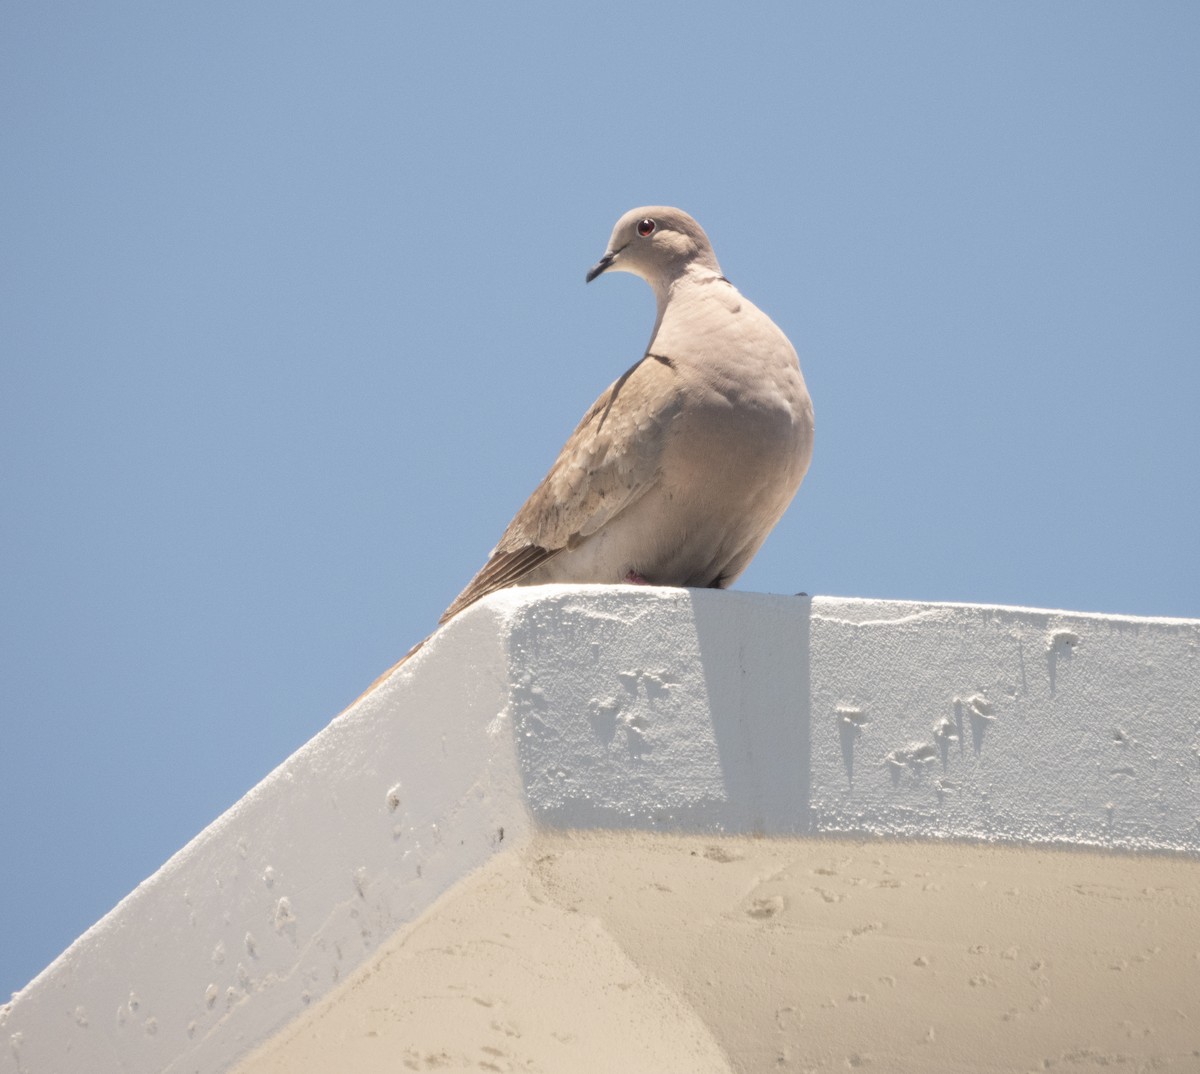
pixel 683 466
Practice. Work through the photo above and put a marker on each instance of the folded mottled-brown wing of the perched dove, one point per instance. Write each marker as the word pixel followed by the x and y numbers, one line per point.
pixel 608 464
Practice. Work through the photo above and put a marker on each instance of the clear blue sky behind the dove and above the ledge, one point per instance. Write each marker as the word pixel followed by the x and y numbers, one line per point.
pixel 293 319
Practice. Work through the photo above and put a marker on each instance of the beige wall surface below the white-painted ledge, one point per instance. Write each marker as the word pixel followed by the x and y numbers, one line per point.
pixel 634 952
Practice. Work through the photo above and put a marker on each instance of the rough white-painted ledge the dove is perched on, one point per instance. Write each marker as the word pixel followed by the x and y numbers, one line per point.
pixel 633 709
